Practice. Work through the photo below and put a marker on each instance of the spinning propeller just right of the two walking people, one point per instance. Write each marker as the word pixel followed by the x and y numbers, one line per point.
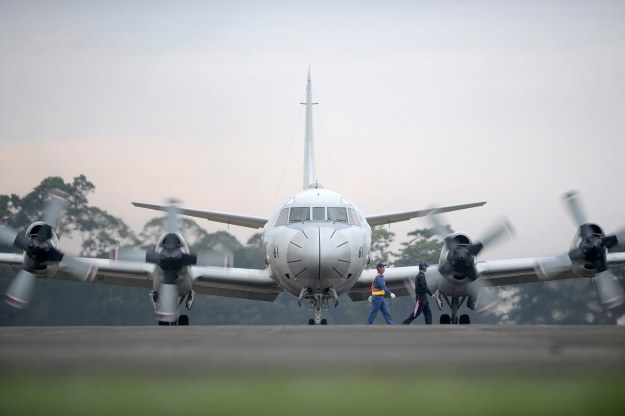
pixel 461 258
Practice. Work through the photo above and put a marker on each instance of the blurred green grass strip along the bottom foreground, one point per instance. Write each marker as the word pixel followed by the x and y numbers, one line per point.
pixel 302 395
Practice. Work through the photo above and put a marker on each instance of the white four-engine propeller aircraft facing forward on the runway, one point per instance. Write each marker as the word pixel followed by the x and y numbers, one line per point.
pixel 317 247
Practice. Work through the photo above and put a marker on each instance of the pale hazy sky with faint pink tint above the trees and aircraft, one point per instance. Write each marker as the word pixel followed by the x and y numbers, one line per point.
pixel 420 102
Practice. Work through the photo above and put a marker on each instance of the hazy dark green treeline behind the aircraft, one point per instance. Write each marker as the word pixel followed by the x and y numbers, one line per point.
pixel 75 303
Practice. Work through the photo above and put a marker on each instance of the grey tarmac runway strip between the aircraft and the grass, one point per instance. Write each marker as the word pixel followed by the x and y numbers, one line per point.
pixel 536 350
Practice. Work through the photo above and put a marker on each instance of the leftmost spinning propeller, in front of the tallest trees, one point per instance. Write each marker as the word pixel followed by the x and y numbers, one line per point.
pixel 40 250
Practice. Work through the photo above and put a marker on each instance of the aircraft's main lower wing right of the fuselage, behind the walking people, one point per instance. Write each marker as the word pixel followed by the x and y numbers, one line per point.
pixel 495 272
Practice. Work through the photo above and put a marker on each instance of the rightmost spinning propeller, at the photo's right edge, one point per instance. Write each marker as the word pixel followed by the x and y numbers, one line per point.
pixel 591 251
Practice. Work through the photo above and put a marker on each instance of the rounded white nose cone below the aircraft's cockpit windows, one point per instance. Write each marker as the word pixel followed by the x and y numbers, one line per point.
pixel 318 255
